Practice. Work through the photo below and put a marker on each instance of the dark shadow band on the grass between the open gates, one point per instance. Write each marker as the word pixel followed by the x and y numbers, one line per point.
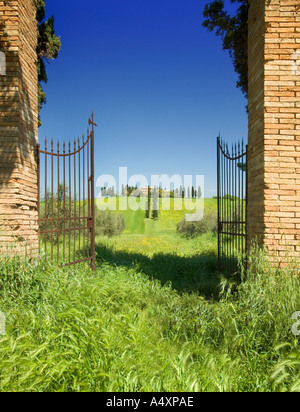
pixel 195 274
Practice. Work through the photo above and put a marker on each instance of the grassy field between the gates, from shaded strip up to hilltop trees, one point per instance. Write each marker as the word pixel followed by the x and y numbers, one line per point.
pixel 153 247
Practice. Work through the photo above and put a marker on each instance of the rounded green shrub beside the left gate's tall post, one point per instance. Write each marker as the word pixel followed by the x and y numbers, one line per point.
pixel 108 223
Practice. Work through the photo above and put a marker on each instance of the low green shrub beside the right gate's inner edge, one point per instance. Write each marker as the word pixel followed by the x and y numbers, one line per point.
pixel 207 224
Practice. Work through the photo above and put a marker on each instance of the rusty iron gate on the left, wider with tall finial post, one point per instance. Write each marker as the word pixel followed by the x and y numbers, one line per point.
pixel 66 201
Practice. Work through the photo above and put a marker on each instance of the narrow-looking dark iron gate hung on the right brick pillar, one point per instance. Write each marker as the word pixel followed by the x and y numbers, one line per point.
pixel 232 205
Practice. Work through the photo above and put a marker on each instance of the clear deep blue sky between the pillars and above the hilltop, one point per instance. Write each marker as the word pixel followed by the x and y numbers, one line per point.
pixel 160 85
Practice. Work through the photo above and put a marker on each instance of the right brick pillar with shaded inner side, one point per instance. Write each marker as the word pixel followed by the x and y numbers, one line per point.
pixel 274 125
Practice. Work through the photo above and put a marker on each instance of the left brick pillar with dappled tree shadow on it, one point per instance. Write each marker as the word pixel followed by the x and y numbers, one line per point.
pixel 18 125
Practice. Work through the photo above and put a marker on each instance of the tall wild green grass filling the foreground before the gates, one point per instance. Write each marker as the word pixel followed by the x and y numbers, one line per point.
pixel 121 330
